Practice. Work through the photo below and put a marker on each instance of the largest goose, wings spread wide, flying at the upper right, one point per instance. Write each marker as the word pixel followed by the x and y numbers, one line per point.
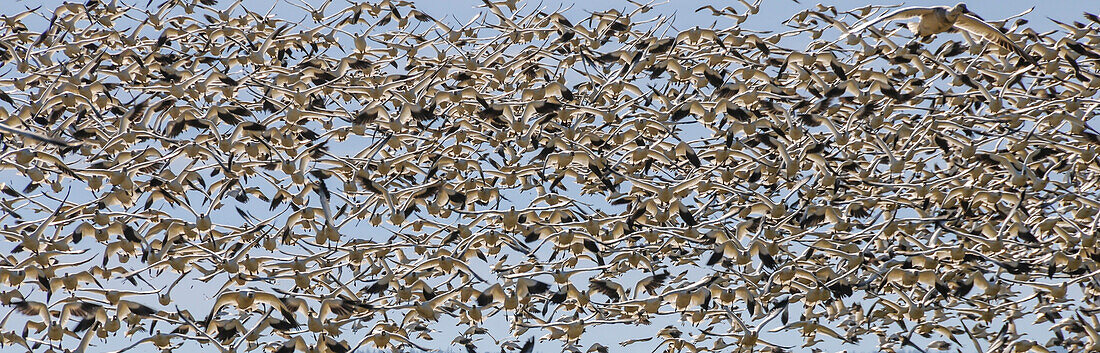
pixel 936 20
